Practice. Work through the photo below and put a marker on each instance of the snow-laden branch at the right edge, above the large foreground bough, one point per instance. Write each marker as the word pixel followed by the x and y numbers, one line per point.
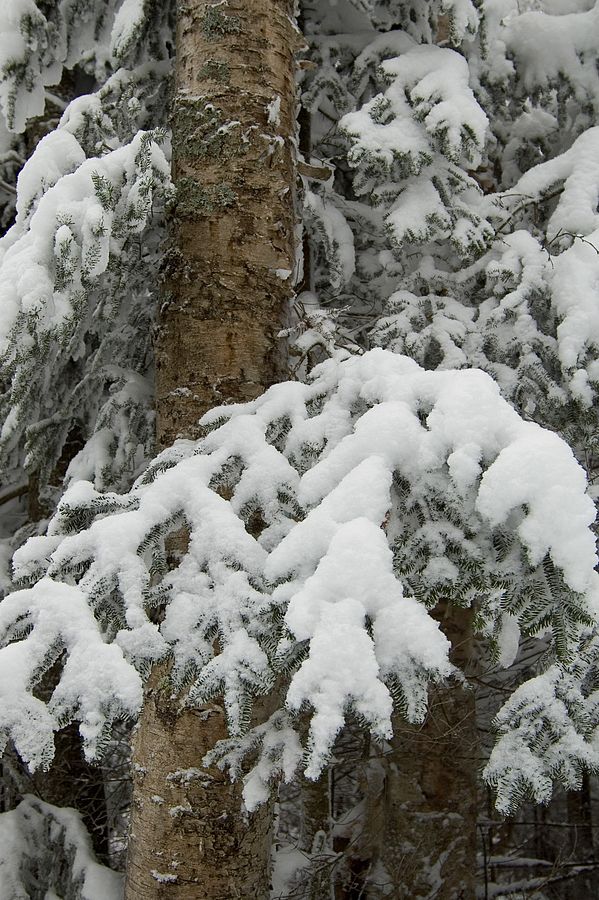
pixel 564 266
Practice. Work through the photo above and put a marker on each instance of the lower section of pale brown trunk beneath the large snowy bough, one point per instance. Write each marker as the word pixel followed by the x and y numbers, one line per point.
pixel 190 837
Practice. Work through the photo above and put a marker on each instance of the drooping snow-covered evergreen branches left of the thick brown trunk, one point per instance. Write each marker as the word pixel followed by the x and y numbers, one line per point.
pixel 77 225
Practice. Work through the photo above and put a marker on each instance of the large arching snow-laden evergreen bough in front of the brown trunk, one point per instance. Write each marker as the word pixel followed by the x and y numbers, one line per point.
pixel 321 521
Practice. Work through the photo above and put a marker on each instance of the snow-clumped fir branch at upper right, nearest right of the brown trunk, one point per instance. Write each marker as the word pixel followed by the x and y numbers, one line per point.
pixel 414 146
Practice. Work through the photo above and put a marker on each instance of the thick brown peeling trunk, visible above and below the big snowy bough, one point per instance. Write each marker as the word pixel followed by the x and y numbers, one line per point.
pixel 229 274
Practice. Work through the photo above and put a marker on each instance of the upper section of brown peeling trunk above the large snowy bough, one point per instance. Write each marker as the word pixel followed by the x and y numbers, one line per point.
pixel 230 264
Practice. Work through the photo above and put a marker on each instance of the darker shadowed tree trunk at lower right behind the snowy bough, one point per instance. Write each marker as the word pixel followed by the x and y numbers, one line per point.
pixel 419 827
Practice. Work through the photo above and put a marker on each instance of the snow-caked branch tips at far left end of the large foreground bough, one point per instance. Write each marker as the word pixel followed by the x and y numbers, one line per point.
pixel 96 683
